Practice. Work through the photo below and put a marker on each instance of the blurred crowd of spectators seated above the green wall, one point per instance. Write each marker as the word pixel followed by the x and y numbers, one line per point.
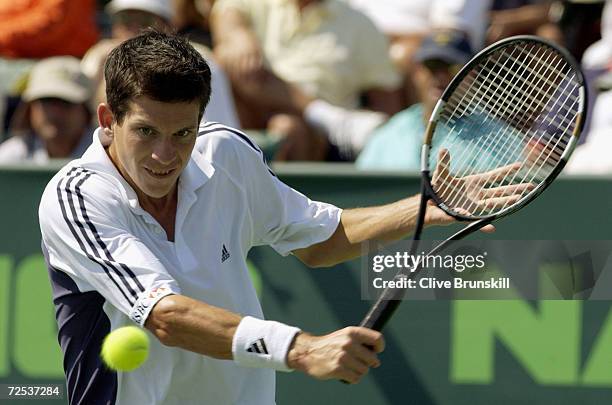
pixel 308 80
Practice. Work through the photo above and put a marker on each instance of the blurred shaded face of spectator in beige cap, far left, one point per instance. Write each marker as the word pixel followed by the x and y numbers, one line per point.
pixel 55 120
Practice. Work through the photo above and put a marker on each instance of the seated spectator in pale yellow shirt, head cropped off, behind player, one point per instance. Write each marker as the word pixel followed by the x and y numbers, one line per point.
pixel 298 69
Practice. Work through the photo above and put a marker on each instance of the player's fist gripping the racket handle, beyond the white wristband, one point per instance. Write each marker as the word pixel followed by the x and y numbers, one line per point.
pixel 346 354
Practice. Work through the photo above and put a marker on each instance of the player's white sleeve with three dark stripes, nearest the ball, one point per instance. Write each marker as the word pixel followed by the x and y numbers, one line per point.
pixel 85 230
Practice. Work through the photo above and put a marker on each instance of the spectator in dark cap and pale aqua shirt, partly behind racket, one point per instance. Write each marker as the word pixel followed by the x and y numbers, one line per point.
pixel 397 144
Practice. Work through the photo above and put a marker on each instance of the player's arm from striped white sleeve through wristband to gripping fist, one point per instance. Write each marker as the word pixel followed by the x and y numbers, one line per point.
pixel 84 226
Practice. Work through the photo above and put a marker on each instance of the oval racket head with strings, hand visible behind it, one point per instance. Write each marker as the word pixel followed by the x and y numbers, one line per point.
pixel 505 126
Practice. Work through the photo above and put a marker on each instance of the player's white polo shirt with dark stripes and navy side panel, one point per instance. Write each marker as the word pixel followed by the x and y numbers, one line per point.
pixel 110 262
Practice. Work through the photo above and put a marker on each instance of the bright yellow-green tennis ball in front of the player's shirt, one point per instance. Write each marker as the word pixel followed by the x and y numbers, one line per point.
pixel 125 349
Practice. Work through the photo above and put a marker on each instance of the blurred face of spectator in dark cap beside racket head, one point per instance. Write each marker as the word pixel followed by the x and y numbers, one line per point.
pixel 432 77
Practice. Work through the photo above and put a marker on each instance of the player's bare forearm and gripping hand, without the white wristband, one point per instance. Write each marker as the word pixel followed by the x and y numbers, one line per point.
pixel 180 321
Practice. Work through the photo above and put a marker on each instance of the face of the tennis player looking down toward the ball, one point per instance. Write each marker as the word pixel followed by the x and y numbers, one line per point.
pixel 153 144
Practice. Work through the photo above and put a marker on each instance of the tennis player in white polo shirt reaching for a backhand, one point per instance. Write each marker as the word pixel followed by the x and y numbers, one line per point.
pixel 153 225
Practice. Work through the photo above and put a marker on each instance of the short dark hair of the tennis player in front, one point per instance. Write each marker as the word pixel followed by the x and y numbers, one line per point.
pixel 161 66
